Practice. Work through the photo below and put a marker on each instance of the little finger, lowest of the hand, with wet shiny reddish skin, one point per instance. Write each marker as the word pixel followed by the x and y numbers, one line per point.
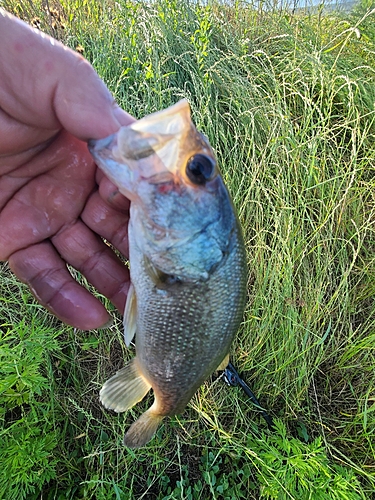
pixel 45 273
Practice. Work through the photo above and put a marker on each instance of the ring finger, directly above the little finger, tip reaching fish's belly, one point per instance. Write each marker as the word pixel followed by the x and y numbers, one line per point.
pixel 87 253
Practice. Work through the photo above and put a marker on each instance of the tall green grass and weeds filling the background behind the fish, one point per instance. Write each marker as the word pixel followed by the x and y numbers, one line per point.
pixel 287 102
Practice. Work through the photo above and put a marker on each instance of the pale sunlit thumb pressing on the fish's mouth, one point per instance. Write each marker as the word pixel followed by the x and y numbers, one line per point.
pixel 47 85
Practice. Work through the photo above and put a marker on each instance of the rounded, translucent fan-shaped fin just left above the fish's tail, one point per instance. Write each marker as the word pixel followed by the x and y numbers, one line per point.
pixel 124 389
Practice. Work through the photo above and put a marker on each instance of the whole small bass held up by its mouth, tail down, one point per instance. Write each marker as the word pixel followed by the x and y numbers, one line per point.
pixel 188 265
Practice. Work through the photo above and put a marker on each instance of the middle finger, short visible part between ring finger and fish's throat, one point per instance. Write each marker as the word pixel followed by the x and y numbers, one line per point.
pixel 105 220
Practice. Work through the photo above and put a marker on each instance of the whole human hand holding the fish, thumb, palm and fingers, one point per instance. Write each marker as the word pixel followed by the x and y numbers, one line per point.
pixel 54 204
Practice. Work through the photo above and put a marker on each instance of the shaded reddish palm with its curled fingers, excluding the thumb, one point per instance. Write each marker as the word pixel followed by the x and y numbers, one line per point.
pixel 51 219
